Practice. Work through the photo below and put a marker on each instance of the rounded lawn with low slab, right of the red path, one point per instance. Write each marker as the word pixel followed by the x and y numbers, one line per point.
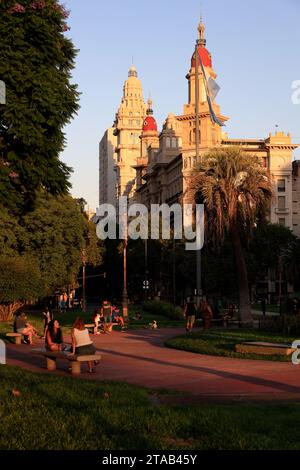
pixel 222 343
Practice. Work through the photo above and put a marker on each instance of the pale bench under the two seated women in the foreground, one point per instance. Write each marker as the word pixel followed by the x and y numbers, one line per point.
pixel 52 356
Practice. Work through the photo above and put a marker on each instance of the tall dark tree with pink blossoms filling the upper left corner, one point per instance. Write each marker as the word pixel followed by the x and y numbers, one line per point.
pixel 36 61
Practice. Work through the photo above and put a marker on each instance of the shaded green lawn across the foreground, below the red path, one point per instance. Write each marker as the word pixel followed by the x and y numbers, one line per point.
pixel 63 413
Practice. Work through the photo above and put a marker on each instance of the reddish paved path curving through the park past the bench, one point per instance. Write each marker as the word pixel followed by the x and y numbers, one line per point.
pixel 140 357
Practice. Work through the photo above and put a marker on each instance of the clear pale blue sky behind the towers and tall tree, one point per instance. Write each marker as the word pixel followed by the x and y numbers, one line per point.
pixel 255 50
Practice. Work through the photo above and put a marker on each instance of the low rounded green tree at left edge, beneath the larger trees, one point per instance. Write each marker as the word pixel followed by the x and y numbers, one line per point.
pixel 20 282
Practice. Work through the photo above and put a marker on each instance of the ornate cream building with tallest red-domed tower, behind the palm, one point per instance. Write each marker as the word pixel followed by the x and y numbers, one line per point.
pixel 165 169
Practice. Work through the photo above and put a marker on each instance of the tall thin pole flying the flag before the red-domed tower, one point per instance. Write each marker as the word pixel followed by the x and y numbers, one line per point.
pixel 197 141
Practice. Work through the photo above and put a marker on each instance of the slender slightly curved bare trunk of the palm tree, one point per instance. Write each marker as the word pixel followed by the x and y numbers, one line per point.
pixel 242 275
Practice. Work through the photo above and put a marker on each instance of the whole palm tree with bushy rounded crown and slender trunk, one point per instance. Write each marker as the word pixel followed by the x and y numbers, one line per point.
pixel 236 192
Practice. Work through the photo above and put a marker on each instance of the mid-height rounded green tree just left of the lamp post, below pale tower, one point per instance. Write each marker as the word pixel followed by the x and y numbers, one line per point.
pixel 56 232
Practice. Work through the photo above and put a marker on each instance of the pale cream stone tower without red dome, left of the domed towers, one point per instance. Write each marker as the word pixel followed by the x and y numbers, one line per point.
pixel 128 128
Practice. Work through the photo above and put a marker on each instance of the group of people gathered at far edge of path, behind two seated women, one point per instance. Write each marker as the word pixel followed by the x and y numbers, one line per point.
pixel 106 316
